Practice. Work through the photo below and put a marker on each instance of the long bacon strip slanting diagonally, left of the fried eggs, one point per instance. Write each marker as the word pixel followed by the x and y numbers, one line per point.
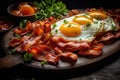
pixel 35 36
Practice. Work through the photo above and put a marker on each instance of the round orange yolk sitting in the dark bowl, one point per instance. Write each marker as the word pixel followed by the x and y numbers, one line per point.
pixel 27 10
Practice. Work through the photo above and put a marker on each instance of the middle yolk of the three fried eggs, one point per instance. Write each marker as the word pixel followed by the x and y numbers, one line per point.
pixel 82 20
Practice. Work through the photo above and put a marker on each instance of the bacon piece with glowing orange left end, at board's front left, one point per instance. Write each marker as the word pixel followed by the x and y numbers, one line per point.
pixel 43 53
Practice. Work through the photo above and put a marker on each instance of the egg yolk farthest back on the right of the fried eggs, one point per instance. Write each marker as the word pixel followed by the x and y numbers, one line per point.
pixel 98 15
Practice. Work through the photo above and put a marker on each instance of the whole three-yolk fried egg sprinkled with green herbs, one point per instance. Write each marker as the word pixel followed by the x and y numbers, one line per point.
pixel 83 27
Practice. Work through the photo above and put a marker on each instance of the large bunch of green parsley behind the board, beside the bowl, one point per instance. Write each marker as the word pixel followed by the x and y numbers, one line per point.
pixel 47 8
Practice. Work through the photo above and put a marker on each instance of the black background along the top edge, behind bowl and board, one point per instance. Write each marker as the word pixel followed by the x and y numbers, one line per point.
pixel 70 4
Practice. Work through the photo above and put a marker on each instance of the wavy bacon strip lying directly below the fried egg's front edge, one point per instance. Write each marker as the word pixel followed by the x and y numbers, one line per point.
pixel 70 45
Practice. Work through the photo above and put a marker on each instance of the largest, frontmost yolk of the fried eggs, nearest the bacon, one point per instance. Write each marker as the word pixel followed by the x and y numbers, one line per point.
pixel 70 29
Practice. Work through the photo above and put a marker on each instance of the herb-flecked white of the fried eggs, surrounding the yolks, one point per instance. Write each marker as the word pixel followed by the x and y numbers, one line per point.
pixel 88 33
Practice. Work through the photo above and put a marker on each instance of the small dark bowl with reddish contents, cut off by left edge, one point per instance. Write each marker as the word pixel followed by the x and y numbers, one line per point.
pixel 5 24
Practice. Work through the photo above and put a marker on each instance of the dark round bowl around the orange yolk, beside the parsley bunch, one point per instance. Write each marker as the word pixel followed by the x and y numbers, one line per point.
pixel 15 6
